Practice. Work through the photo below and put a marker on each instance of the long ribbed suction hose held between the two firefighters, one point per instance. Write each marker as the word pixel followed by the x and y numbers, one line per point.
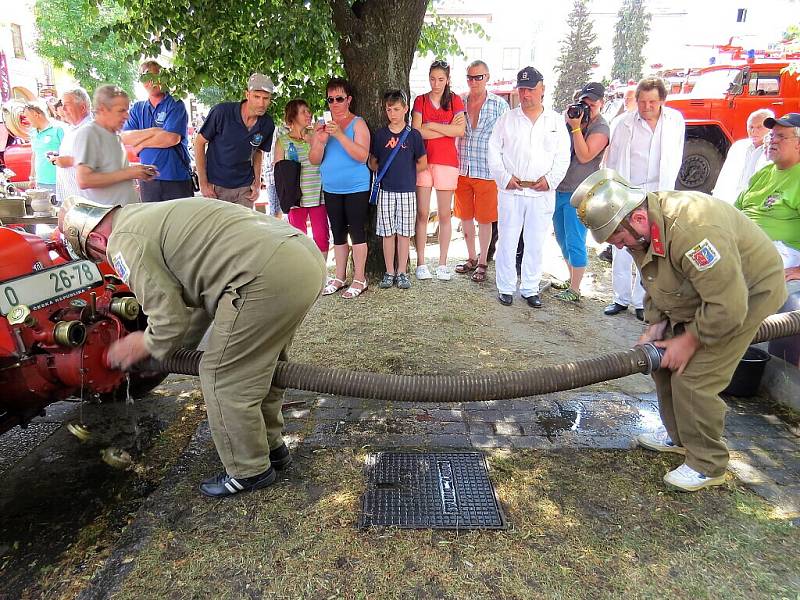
pixel 465 388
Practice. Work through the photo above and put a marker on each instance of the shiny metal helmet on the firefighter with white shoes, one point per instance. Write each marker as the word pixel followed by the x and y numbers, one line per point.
pixel 603 200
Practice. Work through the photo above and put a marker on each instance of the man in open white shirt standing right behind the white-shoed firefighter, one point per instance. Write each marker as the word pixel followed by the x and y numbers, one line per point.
pixel 646 148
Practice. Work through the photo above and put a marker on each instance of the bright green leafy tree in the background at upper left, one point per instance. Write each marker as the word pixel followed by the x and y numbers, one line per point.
pixel 76 34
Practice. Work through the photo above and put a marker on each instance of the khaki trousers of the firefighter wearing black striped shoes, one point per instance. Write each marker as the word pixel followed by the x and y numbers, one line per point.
pixel 253 328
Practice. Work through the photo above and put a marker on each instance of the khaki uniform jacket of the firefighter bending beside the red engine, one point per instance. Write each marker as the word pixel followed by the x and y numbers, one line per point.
pixel 183 254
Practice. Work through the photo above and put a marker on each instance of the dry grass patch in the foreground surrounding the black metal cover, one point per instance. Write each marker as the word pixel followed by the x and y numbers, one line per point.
pixel 584 524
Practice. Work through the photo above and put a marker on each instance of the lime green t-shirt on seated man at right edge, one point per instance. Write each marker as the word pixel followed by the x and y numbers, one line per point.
pixel 773 202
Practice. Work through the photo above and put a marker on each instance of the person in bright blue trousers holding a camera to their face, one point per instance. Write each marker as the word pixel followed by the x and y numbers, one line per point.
pixel 589 134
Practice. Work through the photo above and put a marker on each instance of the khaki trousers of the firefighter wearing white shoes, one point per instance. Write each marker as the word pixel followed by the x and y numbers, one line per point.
pixel 691 409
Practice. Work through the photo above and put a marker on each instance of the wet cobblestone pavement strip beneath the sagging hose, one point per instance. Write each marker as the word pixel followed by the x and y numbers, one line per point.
pixel 765 452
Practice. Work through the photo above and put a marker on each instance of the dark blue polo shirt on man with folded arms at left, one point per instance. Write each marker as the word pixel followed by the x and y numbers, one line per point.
pixel 170 115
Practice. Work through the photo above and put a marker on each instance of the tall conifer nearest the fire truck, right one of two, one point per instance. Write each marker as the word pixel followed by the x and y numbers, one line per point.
pixel 633 25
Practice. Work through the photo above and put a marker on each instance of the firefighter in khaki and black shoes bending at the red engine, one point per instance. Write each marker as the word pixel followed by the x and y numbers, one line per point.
pixel 255 276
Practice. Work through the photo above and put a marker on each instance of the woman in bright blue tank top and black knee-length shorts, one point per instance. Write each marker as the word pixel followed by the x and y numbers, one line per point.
pixel 341 148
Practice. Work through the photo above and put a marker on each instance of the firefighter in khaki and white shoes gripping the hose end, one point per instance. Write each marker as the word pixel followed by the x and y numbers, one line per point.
pixel 711 277
